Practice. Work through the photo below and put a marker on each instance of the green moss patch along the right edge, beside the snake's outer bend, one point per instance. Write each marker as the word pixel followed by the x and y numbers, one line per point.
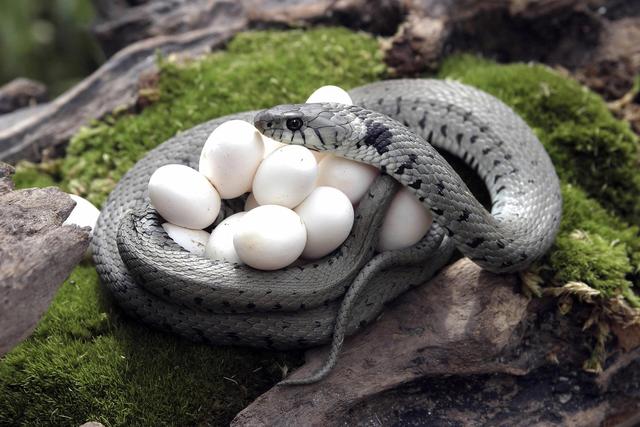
pixel 597 159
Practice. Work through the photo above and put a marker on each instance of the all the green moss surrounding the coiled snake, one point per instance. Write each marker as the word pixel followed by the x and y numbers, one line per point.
pixel 88 361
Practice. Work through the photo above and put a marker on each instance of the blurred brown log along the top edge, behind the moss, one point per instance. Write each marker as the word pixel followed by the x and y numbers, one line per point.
pixel 120 24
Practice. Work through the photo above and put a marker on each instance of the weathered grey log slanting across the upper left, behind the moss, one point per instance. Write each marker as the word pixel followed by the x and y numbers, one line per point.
pixel 113 85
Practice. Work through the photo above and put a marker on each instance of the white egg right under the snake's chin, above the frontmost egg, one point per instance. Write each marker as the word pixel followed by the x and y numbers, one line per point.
pixel 286 177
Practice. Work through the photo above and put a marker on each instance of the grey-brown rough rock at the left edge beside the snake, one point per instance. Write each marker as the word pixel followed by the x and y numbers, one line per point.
pixel 37 253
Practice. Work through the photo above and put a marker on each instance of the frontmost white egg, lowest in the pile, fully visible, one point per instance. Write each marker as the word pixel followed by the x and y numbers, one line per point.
pixel 270 237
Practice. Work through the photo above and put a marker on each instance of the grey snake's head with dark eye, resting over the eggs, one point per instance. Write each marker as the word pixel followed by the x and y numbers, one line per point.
pixel 322 126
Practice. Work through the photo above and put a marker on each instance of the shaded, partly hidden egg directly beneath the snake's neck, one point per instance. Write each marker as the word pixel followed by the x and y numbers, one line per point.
pixel 350 177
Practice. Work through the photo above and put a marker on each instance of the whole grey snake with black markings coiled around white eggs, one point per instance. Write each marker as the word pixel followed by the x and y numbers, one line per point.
pixel 397 126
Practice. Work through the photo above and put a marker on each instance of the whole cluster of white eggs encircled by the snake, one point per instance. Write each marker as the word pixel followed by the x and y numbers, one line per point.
pixel 300 202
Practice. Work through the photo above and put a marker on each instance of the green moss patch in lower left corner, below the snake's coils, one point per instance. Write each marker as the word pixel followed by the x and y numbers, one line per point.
pixel 86 361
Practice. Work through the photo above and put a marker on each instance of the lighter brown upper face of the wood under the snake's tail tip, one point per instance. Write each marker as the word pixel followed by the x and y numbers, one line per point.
pixel 457 324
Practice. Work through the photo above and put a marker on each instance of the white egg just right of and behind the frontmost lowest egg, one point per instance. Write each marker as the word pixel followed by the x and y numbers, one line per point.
pixel 327 214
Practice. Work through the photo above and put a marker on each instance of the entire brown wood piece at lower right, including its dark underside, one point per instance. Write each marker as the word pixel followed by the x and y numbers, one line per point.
pixel 467 348
